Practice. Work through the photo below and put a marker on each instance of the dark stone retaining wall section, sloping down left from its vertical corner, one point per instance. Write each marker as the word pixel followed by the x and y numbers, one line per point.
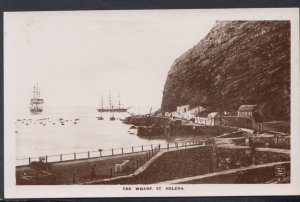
pixel 169 165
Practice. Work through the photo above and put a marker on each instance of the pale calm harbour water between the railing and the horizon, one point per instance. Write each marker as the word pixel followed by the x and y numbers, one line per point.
pixel 55 132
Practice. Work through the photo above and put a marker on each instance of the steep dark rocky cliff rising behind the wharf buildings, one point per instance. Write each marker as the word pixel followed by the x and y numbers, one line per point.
pixel 238 62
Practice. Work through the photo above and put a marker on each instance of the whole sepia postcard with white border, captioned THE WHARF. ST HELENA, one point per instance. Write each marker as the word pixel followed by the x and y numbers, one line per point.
pixel 150 102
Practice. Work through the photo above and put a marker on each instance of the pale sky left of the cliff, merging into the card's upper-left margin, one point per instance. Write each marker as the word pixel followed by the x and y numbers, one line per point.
pixel 77 56
